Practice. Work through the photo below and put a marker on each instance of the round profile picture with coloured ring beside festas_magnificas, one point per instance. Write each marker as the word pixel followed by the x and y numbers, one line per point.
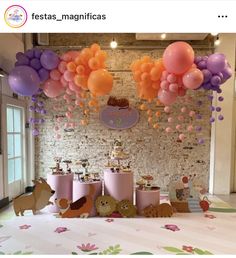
pixel 15 16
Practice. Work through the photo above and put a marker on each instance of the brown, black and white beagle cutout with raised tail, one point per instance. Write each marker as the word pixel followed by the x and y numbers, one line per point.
pixel 80 208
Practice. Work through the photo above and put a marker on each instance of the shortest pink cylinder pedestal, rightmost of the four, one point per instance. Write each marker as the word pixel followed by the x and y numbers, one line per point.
pixel 145 198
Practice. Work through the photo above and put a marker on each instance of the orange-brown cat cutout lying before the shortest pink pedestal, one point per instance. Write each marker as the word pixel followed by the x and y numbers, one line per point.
pixel 160 210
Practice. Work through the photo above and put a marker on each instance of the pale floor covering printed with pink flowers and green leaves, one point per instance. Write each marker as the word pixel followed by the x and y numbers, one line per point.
pixel 189 233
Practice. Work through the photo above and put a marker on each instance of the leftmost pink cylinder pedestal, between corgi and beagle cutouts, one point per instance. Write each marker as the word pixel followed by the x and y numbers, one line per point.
pixel 62 185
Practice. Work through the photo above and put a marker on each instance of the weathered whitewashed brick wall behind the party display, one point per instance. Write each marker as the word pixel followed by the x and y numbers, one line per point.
pixel 151 150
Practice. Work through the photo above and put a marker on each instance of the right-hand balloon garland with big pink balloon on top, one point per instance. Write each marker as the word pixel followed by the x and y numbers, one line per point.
pixel 172 76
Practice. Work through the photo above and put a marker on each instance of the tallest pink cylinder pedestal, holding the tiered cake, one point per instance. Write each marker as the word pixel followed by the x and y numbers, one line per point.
pixel 119 185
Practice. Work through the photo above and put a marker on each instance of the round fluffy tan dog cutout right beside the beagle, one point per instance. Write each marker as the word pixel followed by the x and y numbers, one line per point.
pixel 105 205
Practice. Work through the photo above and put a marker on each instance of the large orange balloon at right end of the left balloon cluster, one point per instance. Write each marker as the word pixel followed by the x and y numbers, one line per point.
pixel 100 82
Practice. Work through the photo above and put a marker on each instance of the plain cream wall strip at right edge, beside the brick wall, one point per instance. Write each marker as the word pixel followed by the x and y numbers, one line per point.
pixel 223 132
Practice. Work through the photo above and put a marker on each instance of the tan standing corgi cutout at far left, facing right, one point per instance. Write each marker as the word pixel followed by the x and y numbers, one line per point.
pixel 34 201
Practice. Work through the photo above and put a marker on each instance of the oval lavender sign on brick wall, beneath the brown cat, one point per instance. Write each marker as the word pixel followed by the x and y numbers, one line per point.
pixel 119 118
